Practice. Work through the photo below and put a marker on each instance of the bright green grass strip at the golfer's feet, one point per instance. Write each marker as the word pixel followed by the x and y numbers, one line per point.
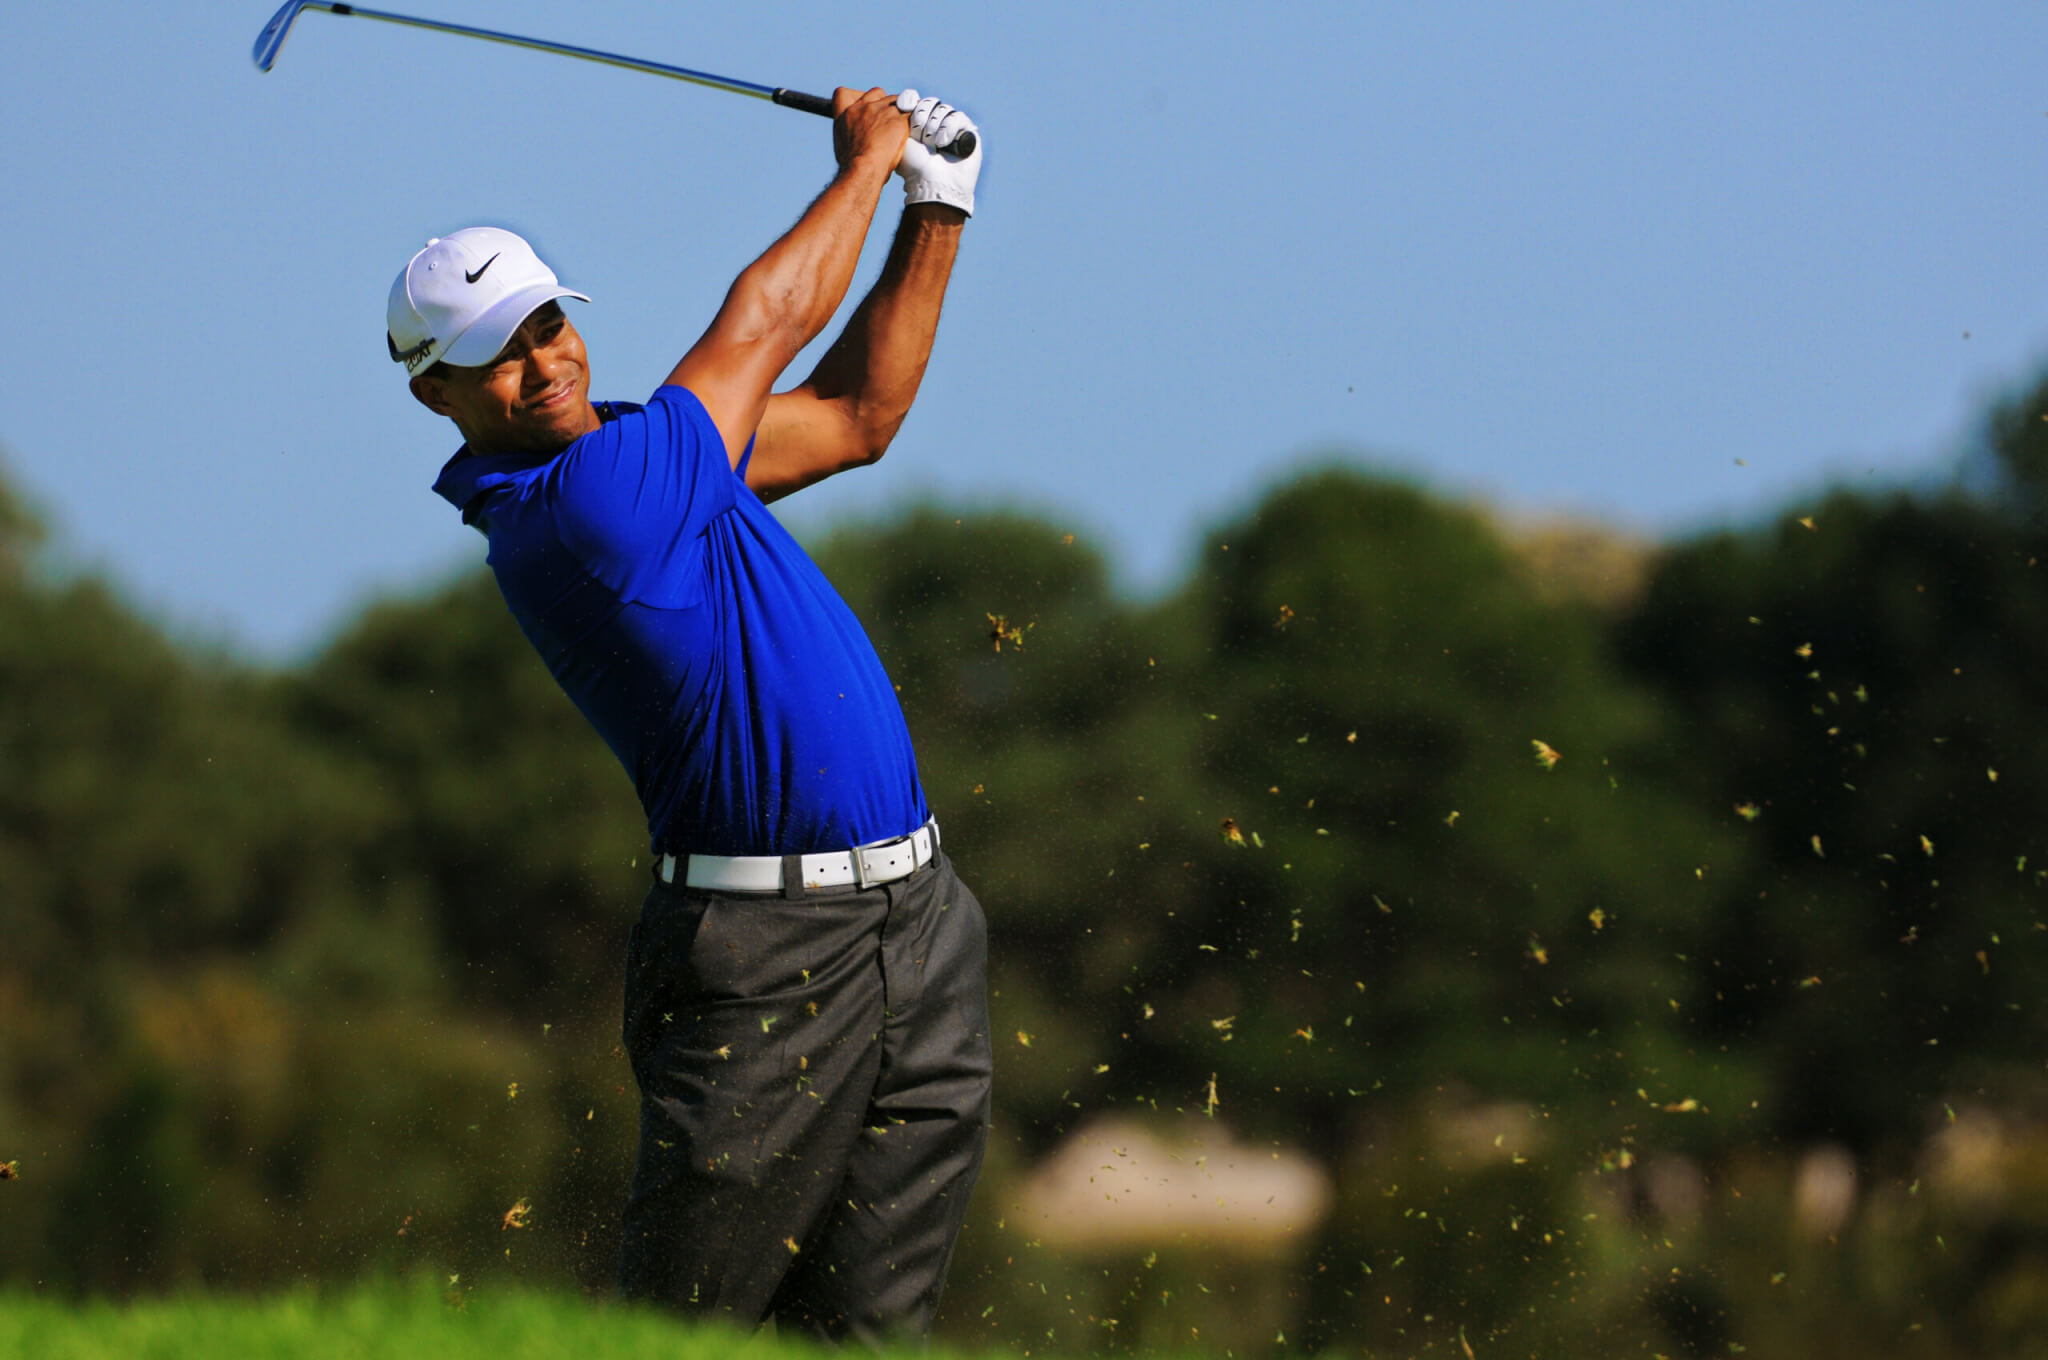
pixel 372 1322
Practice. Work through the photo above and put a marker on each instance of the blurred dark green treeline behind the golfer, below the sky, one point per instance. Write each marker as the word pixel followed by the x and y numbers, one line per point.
pixel 1725 1031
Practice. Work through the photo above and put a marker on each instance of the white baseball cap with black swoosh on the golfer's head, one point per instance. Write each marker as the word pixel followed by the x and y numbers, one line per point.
pixel 464 296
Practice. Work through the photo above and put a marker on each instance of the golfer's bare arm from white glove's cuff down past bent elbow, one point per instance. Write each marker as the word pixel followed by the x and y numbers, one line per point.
pixel 855 402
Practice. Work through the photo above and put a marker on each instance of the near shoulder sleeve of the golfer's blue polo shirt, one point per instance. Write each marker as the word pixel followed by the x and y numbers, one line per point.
pixel 636 497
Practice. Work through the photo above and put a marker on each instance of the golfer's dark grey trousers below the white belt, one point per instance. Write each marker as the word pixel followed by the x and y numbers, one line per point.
pixel 814 1078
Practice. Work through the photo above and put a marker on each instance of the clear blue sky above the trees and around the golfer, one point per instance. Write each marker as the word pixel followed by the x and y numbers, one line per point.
pixel 1564 259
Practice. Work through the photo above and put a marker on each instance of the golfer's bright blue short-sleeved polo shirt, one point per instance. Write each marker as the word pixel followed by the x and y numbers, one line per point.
pixel 697 636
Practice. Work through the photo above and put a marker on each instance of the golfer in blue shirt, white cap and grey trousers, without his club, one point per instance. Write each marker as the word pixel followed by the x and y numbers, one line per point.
pixel 806 1001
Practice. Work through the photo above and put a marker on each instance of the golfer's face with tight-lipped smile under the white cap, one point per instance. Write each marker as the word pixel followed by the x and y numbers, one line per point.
pixel 534 398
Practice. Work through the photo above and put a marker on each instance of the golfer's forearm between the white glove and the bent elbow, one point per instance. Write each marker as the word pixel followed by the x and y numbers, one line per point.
pixel 880 362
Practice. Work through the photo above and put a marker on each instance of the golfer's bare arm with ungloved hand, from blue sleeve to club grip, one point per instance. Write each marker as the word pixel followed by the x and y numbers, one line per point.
pixel 783 300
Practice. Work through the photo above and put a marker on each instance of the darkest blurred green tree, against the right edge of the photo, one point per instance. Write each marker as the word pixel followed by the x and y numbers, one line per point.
pixel 1869 683
